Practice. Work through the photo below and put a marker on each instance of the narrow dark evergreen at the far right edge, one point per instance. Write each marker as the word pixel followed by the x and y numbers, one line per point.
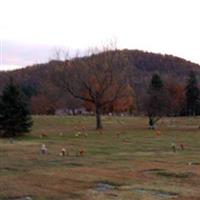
pixel 192 95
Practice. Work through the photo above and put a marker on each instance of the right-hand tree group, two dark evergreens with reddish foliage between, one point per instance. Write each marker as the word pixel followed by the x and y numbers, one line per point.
pixel 172 100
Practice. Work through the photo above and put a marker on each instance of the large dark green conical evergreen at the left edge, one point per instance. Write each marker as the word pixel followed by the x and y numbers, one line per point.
pixel 15 117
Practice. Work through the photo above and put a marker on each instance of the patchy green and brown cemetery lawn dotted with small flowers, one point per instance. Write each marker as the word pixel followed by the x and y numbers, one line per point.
pixel 125 161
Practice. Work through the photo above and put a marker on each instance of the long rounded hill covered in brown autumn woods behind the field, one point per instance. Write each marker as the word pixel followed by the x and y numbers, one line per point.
pixel 47 96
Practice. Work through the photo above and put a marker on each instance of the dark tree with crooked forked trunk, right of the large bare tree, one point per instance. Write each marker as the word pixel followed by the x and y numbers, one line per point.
pixel 158 100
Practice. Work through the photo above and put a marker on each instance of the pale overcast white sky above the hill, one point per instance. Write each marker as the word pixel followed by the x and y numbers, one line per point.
pixel 30 30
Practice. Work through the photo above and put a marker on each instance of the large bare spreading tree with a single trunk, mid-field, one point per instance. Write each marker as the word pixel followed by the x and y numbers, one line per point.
pixel 98 79
